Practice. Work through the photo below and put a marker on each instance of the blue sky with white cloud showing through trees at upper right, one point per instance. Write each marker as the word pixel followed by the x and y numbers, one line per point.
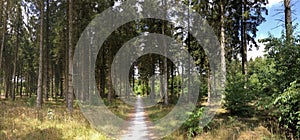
pixel 272 22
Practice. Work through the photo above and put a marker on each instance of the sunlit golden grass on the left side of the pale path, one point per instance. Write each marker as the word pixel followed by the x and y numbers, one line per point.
pixel 19 120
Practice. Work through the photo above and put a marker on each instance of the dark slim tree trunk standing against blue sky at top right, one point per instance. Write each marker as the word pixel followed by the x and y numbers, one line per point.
pixel 288 21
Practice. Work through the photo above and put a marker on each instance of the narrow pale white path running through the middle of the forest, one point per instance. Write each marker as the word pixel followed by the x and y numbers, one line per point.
pixel 139 128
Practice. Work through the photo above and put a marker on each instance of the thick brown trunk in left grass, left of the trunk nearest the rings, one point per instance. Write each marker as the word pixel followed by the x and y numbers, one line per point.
pixel 40 78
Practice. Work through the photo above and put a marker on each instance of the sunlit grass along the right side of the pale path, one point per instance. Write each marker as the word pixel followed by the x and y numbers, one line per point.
pixel 222 127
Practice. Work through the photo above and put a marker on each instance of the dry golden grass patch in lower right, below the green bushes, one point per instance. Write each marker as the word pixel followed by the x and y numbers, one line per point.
pixel 234 128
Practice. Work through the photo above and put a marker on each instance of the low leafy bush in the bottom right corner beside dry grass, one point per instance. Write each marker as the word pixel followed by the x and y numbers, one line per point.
pixel 288 109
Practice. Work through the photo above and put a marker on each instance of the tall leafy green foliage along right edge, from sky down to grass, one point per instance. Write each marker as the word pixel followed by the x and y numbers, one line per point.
pixel 285 82
